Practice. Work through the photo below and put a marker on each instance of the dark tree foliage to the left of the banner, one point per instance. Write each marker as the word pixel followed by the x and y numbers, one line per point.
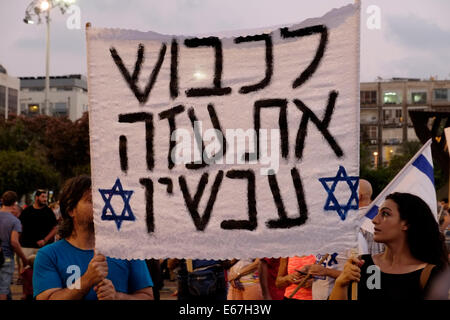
pixel 42 152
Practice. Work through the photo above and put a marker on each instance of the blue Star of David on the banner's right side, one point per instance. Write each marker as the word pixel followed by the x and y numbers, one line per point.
pixel 332 204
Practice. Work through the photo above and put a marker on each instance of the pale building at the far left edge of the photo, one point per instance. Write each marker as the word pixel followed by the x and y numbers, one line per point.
pixel 9 94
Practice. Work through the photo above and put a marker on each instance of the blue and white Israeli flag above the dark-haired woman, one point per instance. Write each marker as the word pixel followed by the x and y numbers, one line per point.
pixel 417 178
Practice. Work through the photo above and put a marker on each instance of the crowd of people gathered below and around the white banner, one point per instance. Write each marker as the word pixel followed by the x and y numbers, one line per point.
pixel 405 256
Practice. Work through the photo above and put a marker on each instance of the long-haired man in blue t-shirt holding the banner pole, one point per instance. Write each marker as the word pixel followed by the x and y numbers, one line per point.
pixel 102 277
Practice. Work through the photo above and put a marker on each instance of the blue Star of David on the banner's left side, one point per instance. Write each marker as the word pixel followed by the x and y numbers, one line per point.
pixel 108 212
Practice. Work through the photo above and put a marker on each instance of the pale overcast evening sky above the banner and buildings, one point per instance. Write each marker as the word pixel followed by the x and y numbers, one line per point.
pixel 413 39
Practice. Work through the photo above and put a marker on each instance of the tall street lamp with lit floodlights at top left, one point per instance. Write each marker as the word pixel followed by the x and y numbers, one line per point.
pixel 34 10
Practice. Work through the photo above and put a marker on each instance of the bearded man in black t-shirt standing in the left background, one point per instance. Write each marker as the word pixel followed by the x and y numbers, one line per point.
pixel 39 224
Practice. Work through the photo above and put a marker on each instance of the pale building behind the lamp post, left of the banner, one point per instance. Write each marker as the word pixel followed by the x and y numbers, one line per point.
pixel 67 96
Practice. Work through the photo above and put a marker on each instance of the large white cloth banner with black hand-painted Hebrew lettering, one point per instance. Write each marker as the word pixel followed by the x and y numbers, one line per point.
pixel 226 146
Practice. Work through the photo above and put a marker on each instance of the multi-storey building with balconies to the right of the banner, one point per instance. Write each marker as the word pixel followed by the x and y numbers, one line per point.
pixel 384 107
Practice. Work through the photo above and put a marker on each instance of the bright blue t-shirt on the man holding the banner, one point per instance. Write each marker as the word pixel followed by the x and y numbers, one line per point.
pixel 57 263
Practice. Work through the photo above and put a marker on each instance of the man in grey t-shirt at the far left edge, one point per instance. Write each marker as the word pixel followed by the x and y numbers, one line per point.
pixel 10 228
